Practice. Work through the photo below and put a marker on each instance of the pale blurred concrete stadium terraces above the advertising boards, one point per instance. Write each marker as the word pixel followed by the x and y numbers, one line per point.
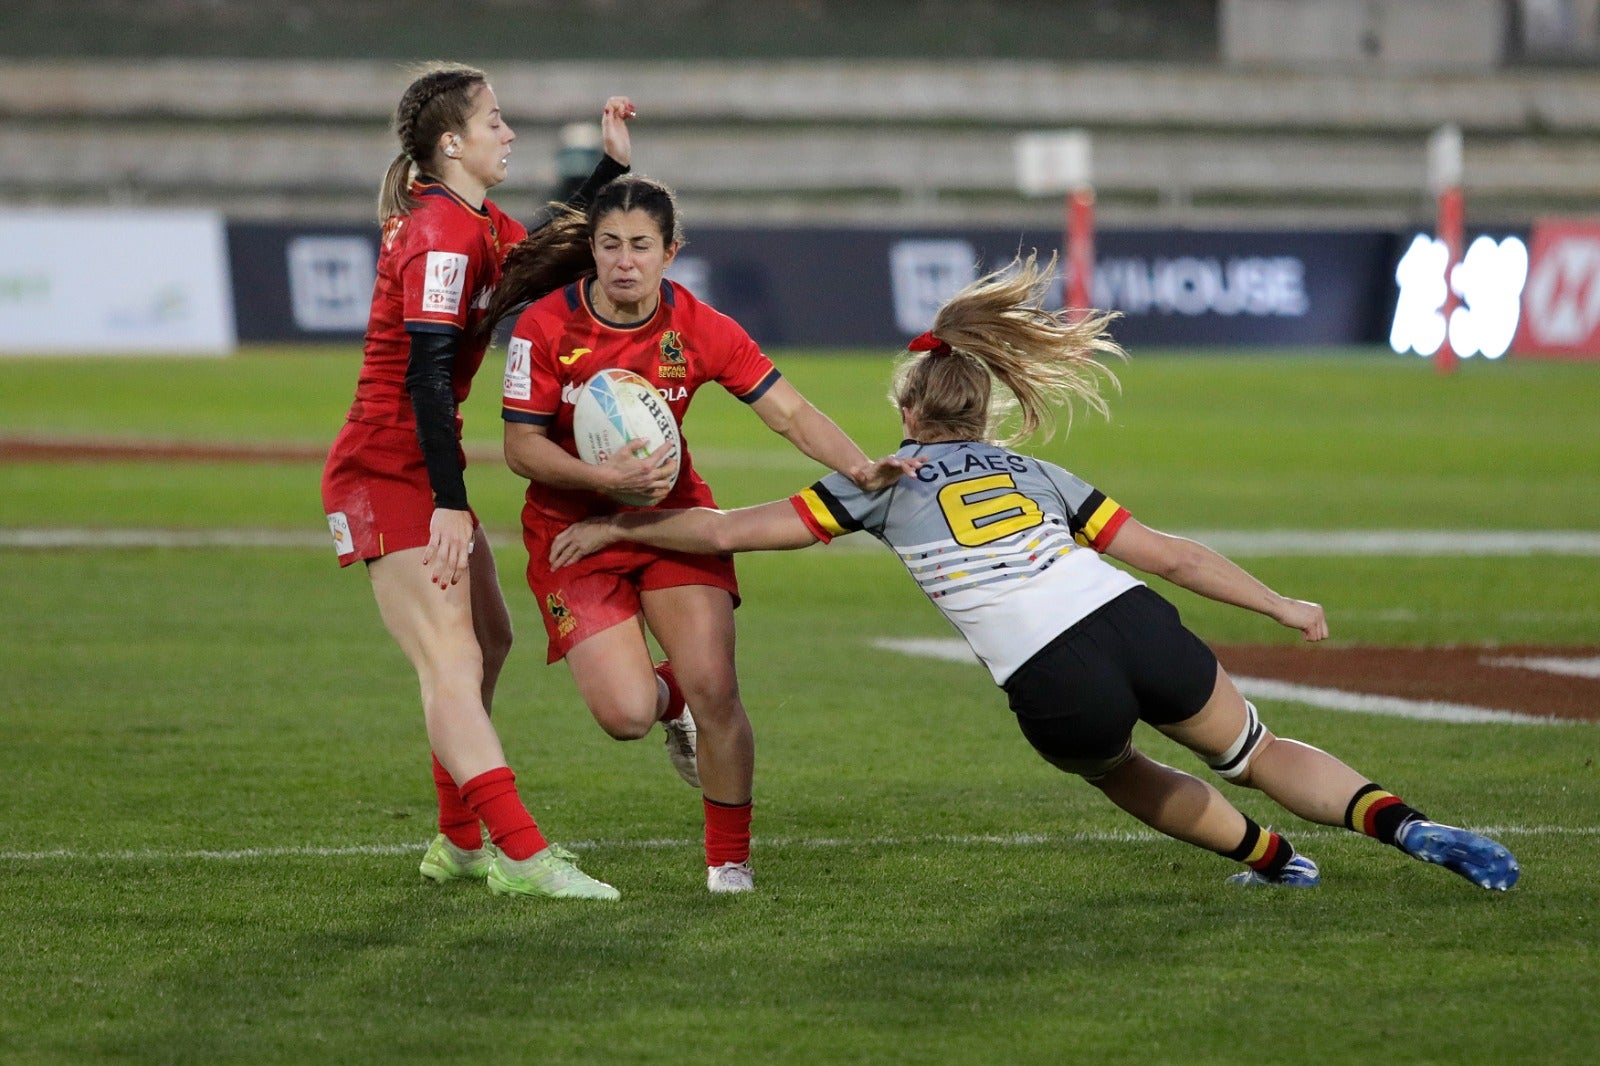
pixel 783 138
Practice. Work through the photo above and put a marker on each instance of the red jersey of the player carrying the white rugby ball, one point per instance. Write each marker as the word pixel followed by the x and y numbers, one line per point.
pixel 559 343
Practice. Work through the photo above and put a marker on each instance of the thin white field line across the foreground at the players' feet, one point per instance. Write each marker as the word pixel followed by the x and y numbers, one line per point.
pixel 959 841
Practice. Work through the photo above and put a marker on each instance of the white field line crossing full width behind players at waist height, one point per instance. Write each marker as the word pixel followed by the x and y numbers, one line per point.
pixel 1343 543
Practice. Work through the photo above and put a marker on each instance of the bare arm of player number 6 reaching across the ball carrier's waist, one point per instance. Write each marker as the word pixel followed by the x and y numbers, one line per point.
pixel 700 531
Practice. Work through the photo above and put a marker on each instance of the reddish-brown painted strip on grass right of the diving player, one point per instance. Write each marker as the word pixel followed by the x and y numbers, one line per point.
pixel 1454 675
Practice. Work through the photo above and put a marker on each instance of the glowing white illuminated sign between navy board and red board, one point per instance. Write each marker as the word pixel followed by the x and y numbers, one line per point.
pixel 1487 283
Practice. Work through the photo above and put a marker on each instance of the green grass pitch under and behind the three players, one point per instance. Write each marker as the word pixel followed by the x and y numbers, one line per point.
pixel 217 777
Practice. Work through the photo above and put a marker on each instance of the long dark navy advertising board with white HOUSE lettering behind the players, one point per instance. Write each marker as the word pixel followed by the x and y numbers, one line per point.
pixel 879 287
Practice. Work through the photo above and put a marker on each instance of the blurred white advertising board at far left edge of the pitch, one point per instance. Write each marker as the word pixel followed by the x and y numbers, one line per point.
pixel 114 283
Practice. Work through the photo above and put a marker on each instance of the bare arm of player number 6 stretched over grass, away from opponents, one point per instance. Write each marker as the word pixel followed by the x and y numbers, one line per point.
pixel 1199 569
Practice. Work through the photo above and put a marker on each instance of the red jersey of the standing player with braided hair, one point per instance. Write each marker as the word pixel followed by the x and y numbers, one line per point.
pixel 436 273
